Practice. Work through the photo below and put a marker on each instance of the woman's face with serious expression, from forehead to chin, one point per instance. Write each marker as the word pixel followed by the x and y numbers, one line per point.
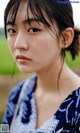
pixel 34 47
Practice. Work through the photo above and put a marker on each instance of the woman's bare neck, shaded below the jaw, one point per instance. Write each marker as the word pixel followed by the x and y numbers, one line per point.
pixel 48 77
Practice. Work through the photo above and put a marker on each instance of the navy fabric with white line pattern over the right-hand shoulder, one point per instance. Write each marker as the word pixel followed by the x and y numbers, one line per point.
pixel 70 111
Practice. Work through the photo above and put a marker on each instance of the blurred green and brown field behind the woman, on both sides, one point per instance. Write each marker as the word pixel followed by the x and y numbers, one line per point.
pixel 10 75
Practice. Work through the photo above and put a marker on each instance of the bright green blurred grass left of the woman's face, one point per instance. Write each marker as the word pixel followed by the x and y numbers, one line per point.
pixel 7 64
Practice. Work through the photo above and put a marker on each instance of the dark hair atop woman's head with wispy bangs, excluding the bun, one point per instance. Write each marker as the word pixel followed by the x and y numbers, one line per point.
pixel 45 11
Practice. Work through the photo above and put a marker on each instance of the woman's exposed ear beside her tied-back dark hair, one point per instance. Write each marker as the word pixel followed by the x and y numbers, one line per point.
pixel 68 35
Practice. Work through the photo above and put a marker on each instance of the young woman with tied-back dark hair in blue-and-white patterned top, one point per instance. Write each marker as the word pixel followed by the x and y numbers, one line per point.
pixel 38 33
